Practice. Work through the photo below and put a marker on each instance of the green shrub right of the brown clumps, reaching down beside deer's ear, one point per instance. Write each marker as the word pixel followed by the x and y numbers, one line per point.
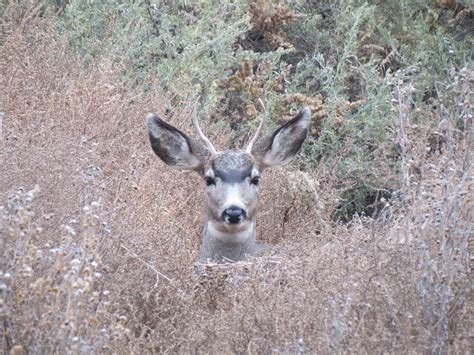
pixel 354 51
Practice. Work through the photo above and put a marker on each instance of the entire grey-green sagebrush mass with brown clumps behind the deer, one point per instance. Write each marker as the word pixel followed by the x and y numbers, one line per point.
pixel 345 52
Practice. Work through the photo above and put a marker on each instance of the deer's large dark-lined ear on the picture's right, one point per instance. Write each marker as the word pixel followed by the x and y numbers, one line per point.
pixel 281 146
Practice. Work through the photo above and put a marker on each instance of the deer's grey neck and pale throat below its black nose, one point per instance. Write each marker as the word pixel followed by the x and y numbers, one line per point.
pixel 226 245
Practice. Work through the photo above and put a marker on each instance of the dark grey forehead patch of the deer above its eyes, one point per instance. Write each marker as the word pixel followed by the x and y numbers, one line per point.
pixel 233 166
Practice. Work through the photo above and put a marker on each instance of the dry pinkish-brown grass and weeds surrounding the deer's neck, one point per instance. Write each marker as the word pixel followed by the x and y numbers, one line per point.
pixel 100 257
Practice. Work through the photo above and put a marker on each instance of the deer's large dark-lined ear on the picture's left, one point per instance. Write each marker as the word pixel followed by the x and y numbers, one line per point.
pixel 174 147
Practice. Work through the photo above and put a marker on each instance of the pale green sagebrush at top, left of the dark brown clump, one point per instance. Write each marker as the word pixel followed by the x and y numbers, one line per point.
pixel 187 46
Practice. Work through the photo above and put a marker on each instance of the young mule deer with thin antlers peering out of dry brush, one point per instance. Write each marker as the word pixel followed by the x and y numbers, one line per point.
pixel 232 178
